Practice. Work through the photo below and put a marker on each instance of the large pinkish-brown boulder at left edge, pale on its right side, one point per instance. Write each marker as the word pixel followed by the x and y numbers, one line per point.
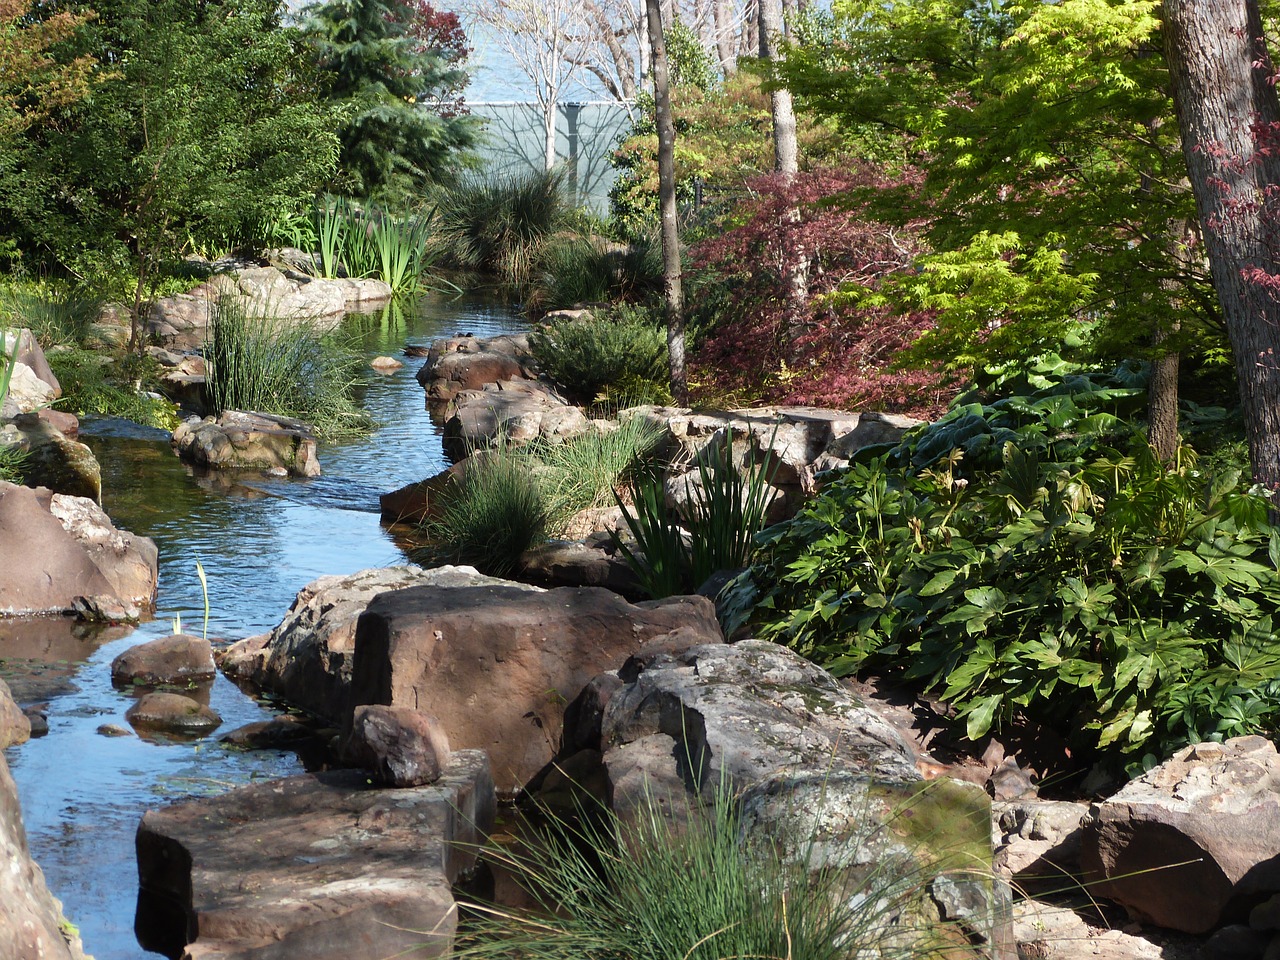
pixel 65 548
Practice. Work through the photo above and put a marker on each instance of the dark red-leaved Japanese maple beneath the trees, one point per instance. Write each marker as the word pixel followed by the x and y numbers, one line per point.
pixel 833 351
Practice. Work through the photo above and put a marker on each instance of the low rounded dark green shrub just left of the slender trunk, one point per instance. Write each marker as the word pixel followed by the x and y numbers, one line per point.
pixel 621 350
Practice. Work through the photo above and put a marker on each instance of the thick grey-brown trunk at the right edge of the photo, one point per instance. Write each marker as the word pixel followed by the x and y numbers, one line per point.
pixel 1212 47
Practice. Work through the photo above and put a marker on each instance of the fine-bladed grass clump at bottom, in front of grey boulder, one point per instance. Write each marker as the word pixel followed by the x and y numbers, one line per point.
pixel 650 890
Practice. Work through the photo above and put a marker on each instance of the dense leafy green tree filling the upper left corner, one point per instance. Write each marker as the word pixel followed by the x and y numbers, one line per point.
pixel 198 130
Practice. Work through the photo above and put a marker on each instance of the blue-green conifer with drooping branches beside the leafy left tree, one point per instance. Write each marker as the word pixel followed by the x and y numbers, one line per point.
pixel 382 79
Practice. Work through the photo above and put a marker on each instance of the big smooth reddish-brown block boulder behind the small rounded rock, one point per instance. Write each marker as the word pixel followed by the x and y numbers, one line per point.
pixel 497 665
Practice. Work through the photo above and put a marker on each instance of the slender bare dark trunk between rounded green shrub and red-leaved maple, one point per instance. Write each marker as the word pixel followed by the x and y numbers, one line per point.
pixel 671 273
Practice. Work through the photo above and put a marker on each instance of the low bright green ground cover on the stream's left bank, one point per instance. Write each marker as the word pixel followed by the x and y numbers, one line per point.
pixel 98 385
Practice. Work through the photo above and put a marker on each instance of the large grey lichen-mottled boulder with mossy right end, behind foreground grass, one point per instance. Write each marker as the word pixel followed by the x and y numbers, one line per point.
pixel 812 767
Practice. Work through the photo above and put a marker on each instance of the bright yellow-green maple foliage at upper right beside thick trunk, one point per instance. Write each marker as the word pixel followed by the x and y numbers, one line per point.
pixel 1046 125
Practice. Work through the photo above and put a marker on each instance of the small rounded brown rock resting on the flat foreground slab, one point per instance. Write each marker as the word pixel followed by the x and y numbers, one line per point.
pixel 404 748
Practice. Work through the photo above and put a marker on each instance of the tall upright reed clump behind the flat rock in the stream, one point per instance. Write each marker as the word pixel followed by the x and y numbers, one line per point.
pixel 286 368
